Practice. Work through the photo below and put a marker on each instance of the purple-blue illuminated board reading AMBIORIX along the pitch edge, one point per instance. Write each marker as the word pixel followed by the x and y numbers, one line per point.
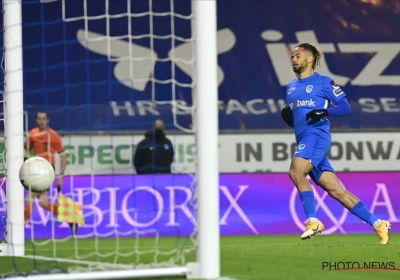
pixel 250 204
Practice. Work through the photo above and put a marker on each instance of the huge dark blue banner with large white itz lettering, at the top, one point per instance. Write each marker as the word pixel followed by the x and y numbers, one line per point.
pixel 100 66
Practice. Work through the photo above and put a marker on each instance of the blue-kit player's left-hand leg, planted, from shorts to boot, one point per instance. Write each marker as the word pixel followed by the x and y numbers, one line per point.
pixel 299 168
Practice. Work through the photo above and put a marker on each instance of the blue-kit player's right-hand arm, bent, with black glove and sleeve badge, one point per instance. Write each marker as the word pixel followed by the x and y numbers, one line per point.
pixel 336 95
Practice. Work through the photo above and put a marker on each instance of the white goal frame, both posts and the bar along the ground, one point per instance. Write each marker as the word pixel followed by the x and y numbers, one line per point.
pixel 207 265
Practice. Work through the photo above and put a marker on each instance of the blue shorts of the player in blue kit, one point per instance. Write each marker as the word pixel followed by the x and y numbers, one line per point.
pixel 314 147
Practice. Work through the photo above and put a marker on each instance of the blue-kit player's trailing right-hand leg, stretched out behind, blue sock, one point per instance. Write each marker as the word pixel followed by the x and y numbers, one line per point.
pixel 330 183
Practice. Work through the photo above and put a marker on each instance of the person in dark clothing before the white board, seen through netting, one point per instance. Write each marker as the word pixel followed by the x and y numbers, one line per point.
pixel 155 153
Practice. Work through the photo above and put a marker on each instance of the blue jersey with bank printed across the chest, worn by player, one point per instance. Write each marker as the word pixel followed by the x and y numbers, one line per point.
pixel 314 92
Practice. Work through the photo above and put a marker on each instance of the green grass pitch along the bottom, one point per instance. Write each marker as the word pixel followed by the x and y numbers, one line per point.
pixel 243 257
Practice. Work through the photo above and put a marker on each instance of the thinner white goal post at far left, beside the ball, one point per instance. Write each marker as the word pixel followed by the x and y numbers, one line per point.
pixel 13 124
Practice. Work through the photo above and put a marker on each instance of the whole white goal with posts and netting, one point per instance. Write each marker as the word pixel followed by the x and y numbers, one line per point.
pixel 114 78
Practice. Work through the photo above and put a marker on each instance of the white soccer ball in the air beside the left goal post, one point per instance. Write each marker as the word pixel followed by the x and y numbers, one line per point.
pixel 36 174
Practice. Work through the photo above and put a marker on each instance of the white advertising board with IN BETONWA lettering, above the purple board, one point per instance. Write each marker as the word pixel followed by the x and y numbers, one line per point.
pixel 237 153
